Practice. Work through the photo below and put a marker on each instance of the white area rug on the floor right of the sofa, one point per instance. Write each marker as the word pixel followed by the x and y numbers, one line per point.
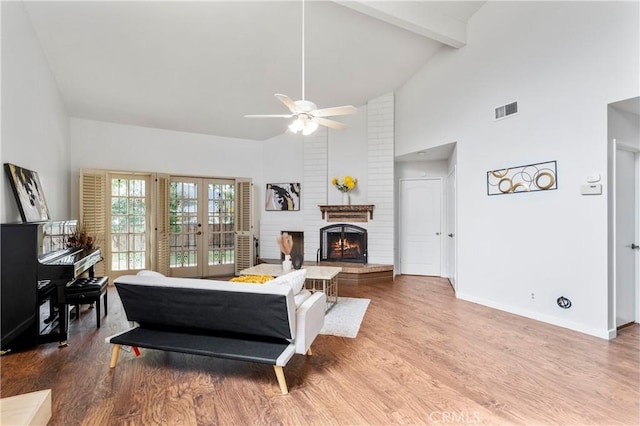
pixel 344 319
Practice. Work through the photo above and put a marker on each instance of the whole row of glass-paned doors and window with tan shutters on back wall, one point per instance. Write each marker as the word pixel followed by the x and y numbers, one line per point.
pixel 173 225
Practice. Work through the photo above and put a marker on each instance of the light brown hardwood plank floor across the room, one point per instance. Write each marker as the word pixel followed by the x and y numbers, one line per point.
pixel 421 357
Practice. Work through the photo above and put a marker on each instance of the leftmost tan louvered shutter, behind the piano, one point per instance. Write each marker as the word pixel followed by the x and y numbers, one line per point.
pixel 93 212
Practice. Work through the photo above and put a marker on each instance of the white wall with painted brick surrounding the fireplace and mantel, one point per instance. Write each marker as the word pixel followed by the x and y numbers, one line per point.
pixel 363 150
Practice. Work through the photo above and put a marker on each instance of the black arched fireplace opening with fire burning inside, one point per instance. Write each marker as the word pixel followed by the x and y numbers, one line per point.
pixel 343 243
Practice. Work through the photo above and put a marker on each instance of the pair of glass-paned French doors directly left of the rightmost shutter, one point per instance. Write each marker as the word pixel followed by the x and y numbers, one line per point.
pixel 201 227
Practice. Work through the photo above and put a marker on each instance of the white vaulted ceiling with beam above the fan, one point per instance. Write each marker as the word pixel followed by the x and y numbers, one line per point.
pixel 201 66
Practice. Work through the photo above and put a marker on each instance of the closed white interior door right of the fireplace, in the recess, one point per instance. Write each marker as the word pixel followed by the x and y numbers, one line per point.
pixel 420 226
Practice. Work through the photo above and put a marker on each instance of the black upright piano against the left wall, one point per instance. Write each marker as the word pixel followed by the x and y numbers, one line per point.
pixel 37 267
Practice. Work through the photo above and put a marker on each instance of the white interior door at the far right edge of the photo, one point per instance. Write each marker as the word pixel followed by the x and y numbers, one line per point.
pixel 626 238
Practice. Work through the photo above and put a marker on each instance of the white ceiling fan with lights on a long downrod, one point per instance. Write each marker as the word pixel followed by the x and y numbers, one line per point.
pixel 307 115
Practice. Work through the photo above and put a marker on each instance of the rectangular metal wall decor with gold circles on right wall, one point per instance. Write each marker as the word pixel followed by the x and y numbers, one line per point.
pixel 527 178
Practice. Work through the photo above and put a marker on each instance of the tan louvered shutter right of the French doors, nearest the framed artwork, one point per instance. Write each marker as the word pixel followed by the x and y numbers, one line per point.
pixel 244 225
